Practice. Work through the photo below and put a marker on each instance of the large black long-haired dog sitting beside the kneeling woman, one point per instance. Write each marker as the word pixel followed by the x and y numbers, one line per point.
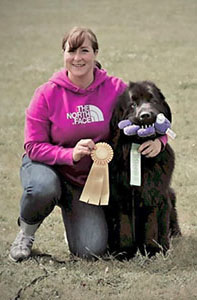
pixel 151 206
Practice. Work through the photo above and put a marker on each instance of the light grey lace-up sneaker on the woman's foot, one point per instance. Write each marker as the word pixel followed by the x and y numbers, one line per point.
pixel 21 247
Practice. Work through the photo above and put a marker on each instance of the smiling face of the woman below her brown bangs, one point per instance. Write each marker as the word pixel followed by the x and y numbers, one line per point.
pixel 80 62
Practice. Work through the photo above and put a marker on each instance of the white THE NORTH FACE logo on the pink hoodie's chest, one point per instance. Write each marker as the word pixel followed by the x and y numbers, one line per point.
pixel 86 114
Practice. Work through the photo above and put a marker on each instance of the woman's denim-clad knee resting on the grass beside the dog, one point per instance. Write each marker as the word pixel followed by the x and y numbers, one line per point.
pixel 86 228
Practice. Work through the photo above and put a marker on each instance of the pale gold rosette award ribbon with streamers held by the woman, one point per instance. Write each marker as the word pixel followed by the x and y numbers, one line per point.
pixel 96 189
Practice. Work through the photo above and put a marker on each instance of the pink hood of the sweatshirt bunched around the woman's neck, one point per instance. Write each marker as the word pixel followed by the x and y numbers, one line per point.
pixel 61 78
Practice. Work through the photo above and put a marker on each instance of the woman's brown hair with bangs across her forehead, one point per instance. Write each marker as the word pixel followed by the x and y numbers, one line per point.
pixel 76 36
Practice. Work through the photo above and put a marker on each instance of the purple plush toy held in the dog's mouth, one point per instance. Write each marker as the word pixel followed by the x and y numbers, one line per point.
pixel 161 126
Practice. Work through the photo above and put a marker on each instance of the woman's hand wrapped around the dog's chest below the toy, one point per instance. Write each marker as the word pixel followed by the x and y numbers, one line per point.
pixel 150 148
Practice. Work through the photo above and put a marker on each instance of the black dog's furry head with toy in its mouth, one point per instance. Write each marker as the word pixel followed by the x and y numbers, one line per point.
pixel 140 104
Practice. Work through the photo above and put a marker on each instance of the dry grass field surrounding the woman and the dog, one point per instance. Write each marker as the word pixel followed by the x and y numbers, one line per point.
pixel 139 39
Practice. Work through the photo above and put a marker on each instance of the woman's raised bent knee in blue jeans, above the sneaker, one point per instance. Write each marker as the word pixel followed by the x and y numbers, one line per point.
pixel 42 191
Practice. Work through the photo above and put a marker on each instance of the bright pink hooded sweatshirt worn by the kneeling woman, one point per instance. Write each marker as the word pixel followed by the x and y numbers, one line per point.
pixel 60 114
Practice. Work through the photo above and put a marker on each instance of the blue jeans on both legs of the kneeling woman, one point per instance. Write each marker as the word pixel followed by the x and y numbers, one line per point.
pixel 85 224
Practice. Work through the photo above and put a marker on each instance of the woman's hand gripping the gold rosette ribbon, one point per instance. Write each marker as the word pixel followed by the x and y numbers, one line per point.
pixel 83 148
